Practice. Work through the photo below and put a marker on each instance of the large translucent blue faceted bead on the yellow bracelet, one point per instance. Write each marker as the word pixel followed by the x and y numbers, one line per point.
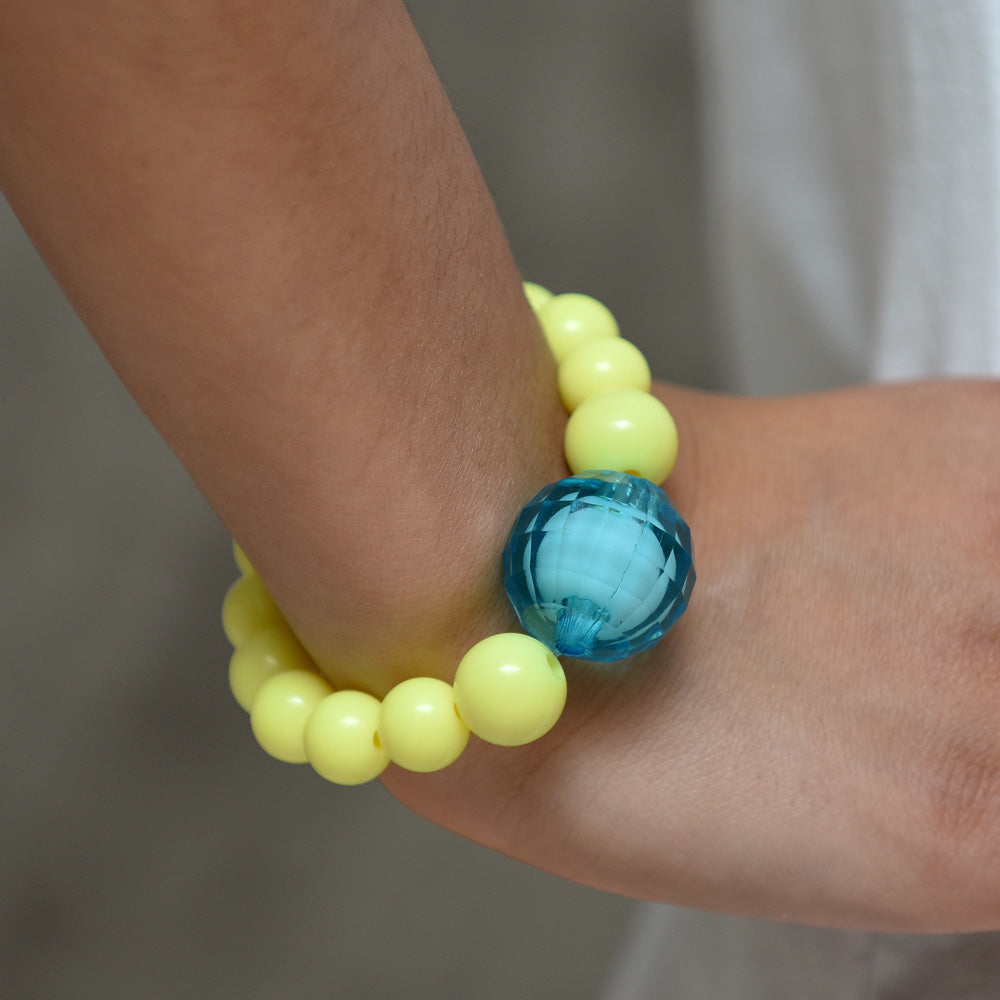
pixel 599 565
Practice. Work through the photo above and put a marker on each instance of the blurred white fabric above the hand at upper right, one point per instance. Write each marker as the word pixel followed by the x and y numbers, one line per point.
pixel 853 158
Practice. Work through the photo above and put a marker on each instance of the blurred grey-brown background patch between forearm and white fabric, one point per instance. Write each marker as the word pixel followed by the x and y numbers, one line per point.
pixel 582 115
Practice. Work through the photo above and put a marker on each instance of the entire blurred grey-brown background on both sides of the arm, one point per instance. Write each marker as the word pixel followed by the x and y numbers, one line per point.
pixel 147 847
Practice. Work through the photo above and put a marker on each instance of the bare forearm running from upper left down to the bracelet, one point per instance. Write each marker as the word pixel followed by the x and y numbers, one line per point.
pixel 269 219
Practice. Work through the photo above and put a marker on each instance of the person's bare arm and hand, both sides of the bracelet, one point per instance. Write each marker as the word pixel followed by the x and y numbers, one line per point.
pixel 270 221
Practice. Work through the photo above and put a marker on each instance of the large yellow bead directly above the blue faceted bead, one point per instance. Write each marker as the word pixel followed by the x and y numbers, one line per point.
pixel 623 430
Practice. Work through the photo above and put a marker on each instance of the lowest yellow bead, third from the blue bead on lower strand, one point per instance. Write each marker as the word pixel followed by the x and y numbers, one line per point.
pixel 341 741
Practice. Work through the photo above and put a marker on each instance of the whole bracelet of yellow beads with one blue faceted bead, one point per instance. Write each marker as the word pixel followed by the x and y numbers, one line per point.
pixel 598 566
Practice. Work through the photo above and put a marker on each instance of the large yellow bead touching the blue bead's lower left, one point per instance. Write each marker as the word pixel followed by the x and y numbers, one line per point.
pixel 510 689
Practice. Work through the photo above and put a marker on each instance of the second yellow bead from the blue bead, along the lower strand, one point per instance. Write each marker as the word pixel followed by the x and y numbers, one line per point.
pixel 419 725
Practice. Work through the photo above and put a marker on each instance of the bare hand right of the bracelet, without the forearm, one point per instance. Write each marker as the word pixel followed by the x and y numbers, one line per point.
pixel 816 740
